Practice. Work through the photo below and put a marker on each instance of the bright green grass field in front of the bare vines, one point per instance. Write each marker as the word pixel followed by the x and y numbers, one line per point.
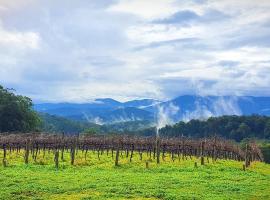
pixel 100 179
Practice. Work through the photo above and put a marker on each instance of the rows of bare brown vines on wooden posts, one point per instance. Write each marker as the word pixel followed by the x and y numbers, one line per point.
pixel 117 147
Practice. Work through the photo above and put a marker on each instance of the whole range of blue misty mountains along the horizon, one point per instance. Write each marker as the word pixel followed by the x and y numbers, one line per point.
pixel 108 111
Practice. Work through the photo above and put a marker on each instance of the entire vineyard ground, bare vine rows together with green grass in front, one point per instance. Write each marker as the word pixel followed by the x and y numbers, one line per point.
pixel 43 166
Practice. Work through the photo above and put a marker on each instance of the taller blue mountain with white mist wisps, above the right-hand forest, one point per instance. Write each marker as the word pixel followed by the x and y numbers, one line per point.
pixel 202 107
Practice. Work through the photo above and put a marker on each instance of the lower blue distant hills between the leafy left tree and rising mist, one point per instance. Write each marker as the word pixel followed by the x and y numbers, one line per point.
pixel 100 111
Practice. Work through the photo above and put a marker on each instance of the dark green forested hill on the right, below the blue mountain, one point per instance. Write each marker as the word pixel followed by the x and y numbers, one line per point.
pixel 231 127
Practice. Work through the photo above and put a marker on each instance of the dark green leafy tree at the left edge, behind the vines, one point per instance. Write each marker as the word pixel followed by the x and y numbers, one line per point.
pixel 16 113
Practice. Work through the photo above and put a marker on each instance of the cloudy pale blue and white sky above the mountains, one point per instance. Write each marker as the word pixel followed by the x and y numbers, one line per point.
pixel 77 50
